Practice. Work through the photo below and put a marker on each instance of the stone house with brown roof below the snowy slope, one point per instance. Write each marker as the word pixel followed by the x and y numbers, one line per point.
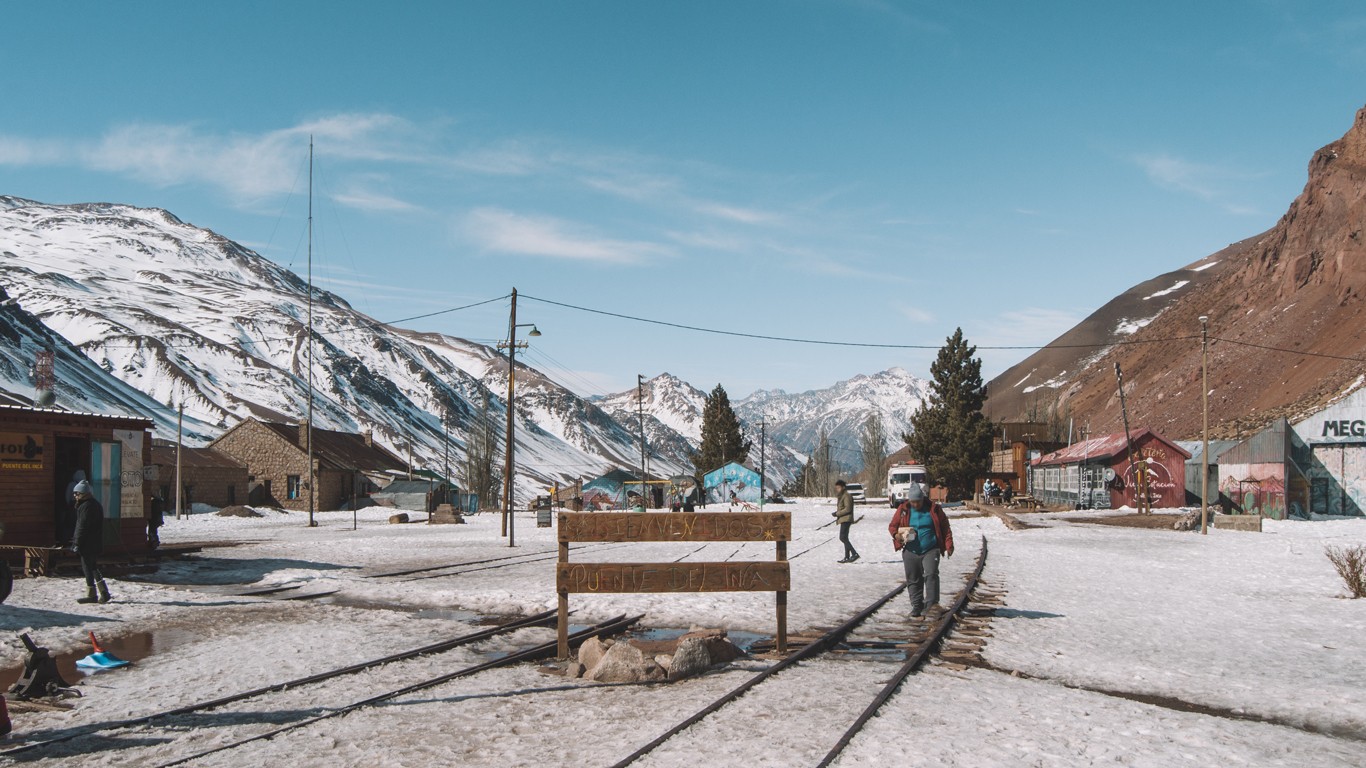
pixel 277 456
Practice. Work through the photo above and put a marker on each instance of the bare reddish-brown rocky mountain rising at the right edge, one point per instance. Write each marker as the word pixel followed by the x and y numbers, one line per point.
pixel 1287 326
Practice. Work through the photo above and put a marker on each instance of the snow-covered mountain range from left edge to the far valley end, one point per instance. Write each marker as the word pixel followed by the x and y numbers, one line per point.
pixel 145 312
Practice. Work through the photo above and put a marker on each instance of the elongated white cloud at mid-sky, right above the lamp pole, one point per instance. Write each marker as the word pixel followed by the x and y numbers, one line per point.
pixel 505 232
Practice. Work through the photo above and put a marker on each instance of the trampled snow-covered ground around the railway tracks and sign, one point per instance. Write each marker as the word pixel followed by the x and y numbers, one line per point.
pixel 1245 646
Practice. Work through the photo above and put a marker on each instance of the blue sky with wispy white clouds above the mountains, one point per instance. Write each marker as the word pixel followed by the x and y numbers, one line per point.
pixel 861 172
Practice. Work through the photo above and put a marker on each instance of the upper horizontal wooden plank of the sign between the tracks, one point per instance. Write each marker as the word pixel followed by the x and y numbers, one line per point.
pixel 675 527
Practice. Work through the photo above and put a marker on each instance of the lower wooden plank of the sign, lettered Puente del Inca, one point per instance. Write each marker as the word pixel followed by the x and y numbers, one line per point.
pixel 673 577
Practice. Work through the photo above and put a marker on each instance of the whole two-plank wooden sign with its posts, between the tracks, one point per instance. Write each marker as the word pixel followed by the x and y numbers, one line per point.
pixel 747 576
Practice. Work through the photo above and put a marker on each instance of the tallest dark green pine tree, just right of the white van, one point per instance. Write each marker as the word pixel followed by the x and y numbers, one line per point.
pixel 951 435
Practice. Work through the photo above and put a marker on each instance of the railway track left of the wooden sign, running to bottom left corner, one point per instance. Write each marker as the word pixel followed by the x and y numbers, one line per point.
pixel 107 733
